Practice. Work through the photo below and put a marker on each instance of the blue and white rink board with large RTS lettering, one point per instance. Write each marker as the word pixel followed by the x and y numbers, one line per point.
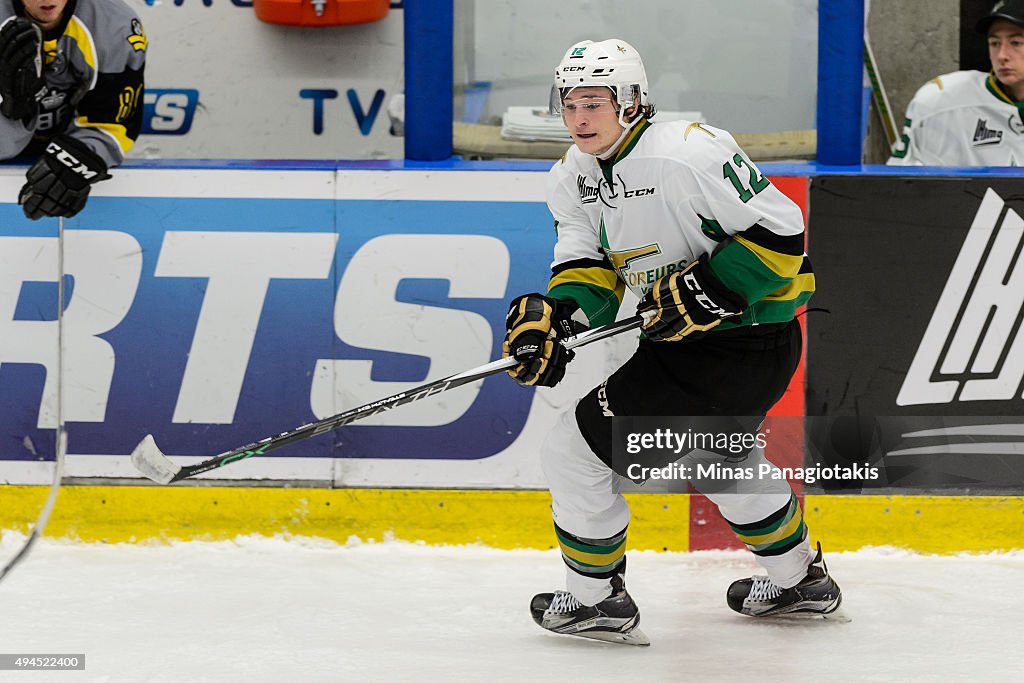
pixel 214 308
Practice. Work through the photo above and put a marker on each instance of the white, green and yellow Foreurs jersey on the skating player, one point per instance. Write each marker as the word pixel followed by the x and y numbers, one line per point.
pixel 674 192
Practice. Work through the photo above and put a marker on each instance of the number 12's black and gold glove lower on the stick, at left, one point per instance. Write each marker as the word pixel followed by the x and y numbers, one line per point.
pixel 534 327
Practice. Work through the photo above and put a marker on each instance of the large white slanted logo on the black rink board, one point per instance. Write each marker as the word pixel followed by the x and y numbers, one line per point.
pixel 973 349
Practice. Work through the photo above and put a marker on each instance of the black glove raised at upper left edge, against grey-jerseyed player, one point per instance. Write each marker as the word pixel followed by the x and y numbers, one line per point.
pixel 21 69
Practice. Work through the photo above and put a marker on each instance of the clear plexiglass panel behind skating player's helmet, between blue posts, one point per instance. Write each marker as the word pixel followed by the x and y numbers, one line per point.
pixel 748 66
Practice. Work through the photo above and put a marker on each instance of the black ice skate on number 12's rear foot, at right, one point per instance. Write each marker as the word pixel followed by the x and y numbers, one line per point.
pixel 759 596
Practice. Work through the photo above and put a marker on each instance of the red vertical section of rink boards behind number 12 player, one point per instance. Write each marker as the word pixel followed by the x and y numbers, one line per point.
pixel 709 531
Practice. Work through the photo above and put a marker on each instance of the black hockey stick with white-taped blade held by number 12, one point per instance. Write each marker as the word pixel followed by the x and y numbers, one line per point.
pixel 151 461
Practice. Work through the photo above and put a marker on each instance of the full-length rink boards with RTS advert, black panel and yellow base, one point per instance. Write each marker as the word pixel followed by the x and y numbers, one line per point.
pixel 214 307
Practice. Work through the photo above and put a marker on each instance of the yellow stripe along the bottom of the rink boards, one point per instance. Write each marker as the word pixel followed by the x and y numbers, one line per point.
pixel 496 519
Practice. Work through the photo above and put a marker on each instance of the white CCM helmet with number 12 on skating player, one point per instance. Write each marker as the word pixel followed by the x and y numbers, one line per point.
pixel 614 64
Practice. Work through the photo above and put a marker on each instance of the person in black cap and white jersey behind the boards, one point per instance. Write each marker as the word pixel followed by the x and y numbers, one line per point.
pixel 968 118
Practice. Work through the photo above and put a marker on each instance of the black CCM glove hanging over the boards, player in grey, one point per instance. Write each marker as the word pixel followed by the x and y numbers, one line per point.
pixel 59 184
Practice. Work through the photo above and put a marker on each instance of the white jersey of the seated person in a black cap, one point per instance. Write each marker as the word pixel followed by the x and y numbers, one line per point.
pixel 962 119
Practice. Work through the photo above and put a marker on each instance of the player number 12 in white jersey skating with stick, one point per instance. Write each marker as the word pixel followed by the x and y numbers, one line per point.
pixel 680 216
